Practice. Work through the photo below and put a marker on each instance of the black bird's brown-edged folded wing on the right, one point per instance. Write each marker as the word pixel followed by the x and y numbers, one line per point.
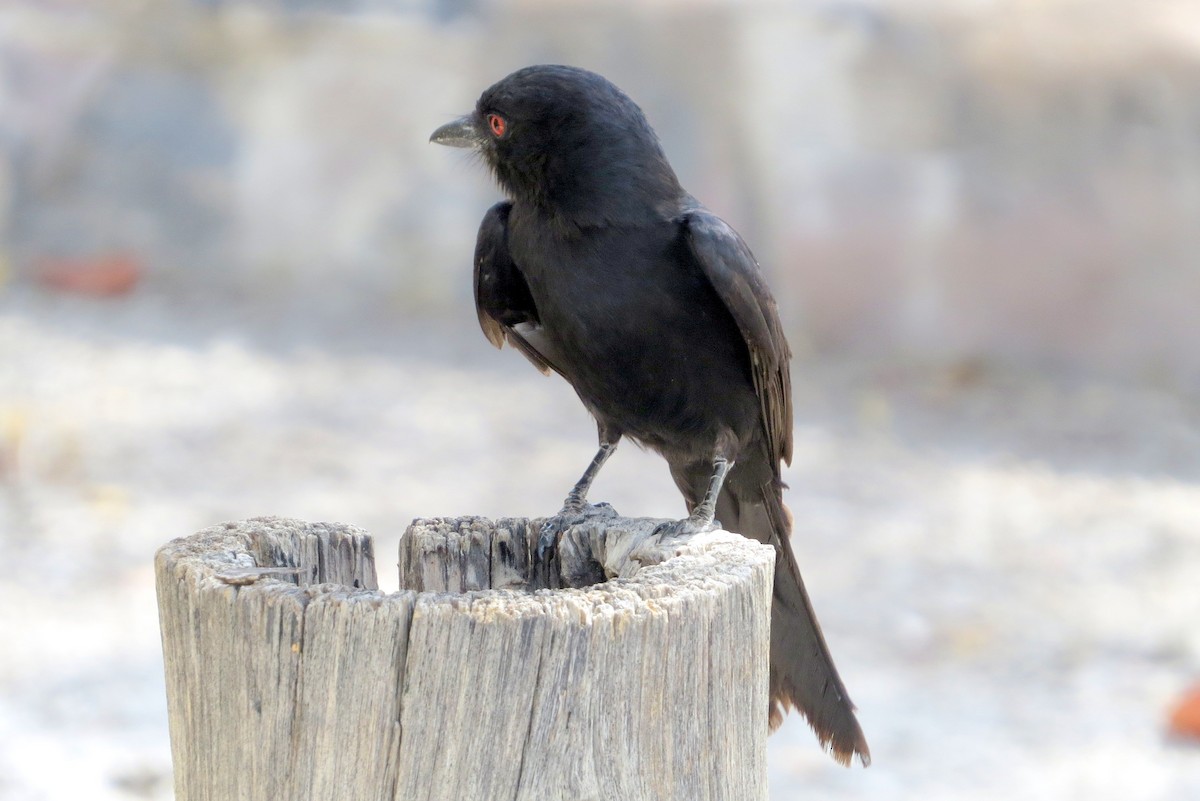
pixel 730 267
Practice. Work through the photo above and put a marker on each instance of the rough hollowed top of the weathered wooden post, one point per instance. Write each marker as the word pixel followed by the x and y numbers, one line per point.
pixel 464 555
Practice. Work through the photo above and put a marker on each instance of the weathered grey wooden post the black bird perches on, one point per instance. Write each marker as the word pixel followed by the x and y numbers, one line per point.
pixel 291 677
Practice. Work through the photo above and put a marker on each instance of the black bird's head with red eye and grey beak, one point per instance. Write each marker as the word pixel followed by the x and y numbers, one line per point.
pixel 569 143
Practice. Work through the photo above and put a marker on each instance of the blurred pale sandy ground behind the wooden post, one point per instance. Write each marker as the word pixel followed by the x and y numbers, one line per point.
pixel 1007 564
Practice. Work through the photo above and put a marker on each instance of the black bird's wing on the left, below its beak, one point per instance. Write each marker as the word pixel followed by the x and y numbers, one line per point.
pixel 506 309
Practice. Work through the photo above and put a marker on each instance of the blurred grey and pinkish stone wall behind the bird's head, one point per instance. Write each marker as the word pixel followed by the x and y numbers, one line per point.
pixel 1017 179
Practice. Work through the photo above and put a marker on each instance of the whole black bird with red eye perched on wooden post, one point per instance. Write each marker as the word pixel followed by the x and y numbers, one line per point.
pixel 603 269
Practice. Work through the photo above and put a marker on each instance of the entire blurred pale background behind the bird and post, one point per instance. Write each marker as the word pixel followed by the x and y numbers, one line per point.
pixel 235 281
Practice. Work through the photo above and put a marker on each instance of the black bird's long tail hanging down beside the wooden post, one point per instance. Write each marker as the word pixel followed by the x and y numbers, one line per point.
pixel 802 672
